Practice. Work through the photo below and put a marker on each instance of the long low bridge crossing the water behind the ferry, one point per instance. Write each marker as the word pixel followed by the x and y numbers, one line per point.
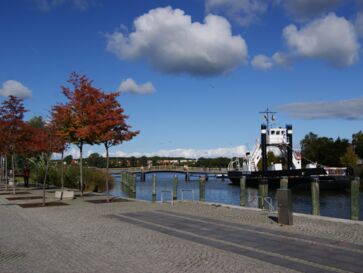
pixel 188 171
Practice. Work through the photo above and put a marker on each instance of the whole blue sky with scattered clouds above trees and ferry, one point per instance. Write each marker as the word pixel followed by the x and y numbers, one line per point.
pixel 193 75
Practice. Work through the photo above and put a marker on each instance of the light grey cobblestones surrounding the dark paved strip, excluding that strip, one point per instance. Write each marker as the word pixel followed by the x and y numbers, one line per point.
pixel 82 237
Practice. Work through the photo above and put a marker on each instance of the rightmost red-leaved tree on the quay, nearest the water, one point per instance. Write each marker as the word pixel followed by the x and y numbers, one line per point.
pixel 111 127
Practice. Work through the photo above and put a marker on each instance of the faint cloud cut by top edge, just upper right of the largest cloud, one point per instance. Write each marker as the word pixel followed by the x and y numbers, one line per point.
pixel 244 12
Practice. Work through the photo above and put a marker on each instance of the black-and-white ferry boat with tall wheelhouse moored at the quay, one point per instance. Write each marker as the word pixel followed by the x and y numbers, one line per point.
pixel 280 140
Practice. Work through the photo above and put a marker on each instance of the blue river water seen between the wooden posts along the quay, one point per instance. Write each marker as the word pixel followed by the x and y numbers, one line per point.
pixel 332 203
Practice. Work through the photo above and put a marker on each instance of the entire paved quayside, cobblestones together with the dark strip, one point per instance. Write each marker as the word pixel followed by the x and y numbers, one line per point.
pixel 135 236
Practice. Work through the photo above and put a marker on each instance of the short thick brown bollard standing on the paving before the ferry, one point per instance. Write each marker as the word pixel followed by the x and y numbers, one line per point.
pixel 284 202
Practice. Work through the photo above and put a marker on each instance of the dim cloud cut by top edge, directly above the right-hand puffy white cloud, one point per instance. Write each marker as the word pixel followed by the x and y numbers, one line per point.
pixel 307 9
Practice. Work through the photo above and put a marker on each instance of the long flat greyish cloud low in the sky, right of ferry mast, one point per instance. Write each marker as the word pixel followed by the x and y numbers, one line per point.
pixel 343 109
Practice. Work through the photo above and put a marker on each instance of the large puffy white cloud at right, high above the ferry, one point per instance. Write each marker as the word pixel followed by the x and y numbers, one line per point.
pixel 331 39
